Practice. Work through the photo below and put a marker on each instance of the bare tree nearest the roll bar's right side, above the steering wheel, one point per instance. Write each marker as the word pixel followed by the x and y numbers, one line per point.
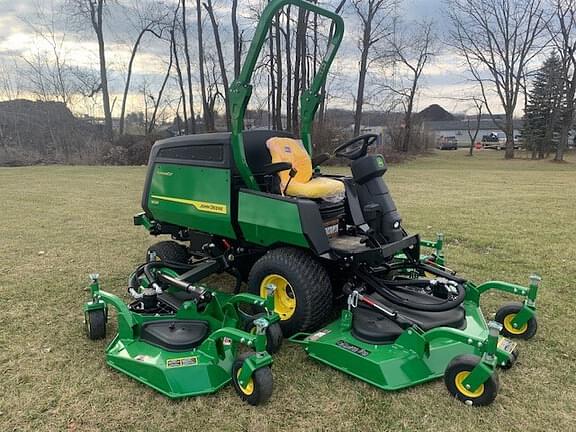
pixel 375 19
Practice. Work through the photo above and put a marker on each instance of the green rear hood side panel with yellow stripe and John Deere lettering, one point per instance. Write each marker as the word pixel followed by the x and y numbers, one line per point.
pixel 194 197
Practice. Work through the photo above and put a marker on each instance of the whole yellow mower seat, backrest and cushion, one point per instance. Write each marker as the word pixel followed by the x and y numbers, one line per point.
pixel 303 185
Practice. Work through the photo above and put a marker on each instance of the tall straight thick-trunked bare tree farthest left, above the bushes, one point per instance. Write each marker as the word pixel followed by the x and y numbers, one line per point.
pixel 93 11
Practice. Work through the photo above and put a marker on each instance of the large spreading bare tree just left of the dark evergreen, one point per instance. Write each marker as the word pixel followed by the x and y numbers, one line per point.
pixel 498 39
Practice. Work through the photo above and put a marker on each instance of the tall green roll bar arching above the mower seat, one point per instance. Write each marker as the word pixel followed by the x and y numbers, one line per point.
pixel 241 89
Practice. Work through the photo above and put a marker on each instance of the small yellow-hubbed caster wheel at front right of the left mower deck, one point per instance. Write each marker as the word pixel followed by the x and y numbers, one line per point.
pixel 259 389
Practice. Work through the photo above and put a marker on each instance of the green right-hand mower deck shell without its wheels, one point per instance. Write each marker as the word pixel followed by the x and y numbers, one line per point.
pixel 406 362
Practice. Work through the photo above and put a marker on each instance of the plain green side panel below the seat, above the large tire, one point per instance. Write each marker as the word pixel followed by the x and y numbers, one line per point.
pixel 267 220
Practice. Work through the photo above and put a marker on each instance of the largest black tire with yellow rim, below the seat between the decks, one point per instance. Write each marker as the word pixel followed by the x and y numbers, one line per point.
pixel 305 301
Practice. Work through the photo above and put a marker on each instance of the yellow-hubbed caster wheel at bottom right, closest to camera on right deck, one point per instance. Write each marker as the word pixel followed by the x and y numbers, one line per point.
pixel 458 370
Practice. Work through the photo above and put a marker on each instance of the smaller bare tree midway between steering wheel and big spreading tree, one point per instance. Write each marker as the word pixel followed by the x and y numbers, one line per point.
pixel 412 50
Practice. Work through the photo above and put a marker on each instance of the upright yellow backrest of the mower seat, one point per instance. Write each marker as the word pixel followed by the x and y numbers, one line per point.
pixel 292 151
